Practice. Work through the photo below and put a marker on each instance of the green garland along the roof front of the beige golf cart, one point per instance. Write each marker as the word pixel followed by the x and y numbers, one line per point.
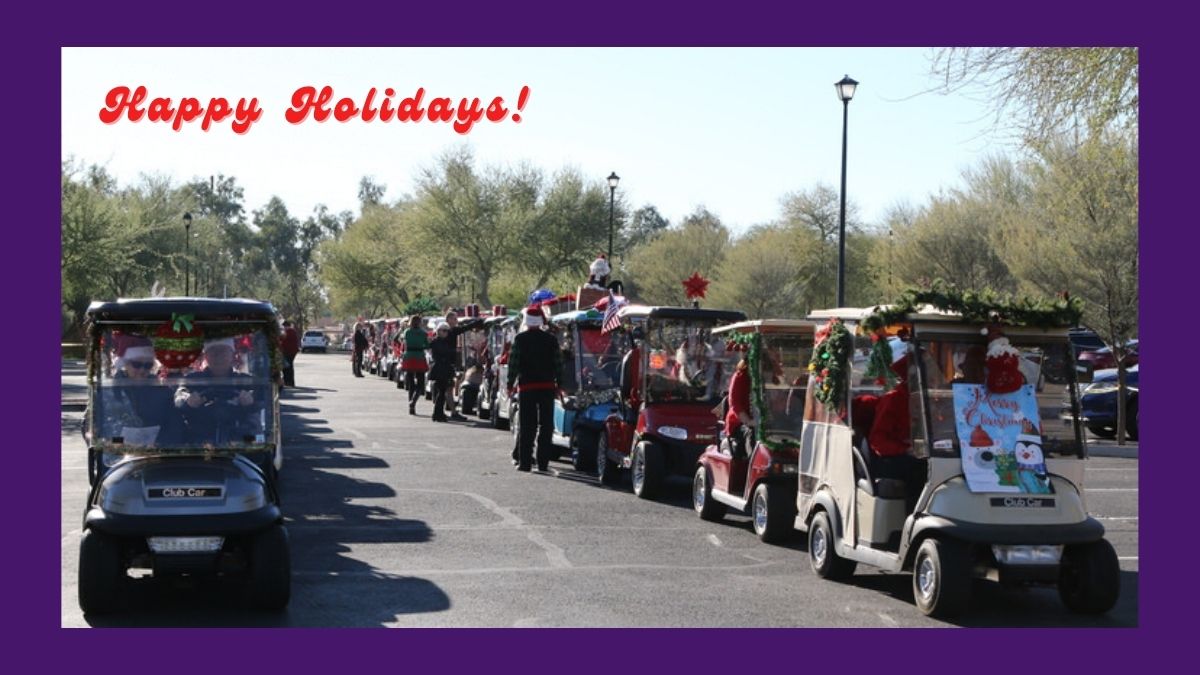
pixel 980 307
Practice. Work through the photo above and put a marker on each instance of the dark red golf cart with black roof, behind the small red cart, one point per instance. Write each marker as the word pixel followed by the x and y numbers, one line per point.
pixel 671 381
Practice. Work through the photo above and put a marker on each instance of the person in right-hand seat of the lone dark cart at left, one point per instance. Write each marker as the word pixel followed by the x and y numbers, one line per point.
pixel 218 403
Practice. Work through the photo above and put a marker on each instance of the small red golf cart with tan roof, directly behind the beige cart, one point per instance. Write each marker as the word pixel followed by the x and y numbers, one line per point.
pixel 761 480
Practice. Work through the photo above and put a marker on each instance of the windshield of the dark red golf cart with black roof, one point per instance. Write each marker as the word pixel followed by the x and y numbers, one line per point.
pixel 685 362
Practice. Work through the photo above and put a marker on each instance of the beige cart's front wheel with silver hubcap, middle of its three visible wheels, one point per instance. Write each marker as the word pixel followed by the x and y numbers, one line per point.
pixel 941 578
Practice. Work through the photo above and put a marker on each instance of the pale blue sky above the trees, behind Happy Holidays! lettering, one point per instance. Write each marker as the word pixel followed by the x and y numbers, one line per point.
pixel 730 129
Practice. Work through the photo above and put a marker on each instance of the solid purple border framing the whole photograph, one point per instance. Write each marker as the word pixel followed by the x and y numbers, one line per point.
pixel 37 76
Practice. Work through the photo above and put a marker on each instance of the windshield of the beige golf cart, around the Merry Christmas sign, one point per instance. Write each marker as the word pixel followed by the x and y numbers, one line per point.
pixel 953 373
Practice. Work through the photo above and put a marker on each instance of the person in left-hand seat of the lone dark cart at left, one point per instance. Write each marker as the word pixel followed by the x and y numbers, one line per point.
pixel 137 408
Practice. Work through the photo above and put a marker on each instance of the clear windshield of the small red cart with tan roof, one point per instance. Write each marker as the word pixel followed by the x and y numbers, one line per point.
pixel 784 367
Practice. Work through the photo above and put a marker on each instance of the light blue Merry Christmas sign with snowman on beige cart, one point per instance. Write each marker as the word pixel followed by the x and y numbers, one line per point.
pixel 1000 439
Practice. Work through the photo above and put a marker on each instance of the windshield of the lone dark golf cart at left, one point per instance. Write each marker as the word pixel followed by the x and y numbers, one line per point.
pixel 154 393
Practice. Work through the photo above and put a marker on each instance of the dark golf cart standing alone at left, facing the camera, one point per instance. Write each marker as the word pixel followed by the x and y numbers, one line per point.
pixel 183 431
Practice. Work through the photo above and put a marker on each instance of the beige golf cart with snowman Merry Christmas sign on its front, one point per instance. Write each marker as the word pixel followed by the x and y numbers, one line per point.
pixel 991 479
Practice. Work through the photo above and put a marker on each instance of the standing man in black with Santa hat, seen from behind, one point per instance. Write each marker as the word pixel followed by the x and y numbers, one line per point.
pixel 536 374
